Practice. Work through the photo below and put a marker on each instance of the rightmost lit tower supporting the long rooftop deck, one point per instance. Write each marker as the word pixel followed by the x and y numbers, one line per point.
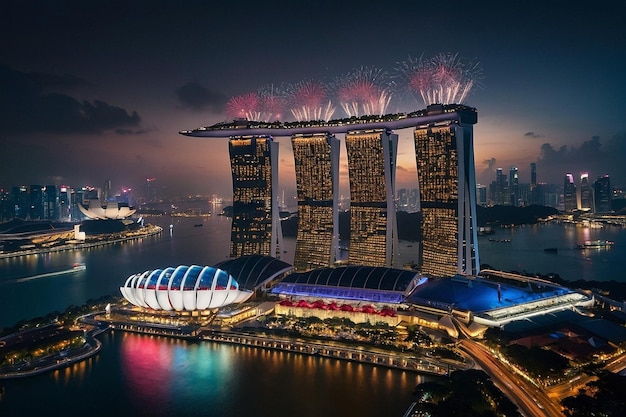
pixel 446 176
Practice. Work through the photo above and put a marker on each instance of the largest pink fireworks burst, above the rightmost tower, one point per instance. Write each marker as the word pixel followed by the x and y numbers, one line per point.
pixel 444 79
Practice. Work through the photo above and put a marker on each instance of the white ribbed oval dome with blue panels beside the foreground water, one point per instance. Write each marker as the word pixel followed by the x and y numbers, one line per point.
pixel 183 288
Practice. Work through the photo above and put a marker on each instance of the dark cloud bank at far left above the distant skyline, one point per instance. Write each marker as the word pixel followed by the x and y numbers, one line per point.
pixel 27 108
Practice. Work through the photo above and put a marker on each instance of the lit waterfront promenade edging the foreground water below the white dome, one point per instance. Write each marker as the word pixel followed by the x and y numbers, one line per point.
pixel 96 323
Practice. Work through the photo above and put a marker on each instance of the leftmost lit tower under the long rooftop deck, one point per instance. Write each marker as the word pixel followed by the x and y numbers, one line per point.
pixel 255 225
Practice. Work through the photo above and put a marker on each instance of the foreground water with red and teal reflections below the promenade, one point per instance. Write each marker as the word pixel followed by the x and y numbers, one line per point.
pixel 147 375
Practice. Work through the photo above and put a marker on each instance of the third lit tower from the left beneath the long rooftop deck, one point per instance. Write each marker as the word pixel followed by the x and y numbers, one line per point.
pixel 371 168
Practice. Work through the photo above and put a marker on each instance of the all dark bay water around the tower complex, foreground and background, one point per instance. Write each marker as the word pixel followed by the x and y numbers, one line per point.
pixel 136 375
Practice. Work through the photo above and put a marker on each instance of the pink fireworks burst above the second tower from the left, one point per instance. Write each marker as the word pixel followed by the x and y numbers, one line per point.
pixel 308 100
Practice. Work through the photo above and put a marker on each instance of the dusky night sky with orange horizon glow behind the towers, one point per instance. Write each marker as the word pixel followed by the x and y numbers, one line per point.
pixel 96 91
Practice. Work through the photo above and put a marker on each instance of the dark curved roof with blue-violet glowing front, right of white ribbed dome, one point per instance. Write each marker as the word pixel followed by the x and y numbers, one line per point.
pixel 362 283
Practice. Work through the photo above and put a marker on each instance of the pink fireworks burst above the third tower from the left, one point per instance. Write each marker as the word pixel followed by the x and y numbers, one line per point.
pixel 364 91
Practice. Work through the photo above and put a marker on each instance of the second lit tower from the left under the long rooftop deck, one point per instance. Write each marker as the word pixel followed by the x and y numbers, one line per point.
pixel 316 160
